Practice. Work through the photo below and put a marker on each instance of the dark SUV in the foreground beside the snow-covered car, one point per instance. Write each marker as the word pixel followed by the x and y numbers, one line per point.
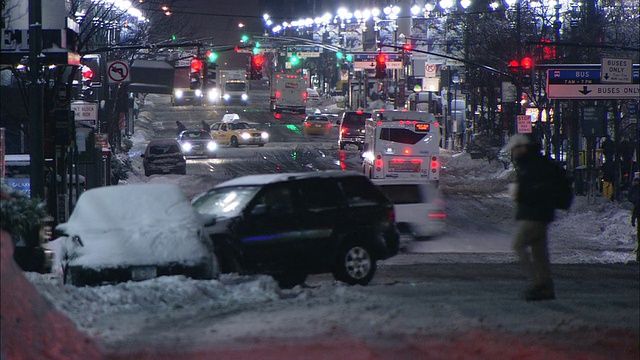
pixel 292 225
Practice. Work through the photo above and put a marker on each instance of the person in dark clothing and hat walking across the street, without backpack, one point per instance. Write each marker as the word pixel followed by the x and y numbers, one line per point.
pixel 534 211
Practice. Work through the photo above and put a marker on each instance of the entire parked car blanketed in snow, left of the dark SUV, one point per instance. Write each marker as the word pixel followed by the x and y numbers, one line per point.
pixel 134 232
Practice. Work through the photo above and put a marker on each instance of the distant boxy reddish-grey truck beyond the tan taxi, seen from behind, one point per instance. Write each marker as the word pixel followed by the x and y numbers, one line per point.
pixel 288 93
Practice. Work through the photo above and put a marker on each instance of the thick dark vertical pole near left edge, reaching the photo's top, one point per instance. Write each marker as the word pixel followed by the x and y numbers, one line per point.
pixel 36 103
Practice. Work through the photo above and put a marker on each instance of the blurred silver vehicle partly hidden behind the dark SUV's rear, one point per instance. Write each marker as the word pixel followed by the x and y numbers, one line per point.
pixel 418 206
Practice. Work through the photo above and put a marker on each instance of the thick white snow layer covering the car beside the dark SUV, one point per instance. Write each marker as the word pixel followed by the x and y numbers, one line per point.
pixel 133 225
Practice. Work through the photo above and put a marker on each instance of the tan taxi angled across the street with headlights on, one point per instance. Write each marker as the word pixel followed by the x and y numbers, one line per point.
pixel 238 133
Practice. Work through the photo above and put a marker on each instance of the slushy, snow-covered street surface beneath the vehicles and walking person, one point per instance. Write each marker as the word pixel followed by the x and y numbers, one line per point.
pixel 459 295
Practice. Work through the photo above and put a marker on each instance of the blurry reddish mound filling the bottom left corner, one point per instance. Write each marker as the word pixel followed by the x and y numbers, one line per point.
pixel 30 327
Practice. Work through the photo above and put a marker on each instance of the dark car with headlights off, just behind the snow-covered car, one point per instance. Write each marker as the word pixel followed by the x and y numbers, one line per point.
pixel 164 157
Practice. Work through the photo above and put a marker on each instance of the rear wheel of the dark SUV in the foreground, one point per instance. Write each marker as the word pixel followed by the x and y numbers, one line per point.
pixel 356 265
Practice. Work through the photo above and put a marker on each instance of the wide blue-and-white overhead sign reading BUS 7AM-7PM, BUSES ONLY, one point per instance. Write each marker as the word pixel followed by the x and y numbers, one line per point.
pixel 582 84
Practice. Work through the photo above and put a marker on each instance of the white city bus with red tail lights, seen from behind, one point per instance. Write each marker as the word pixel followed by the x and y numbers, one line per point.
pixel 402 145
